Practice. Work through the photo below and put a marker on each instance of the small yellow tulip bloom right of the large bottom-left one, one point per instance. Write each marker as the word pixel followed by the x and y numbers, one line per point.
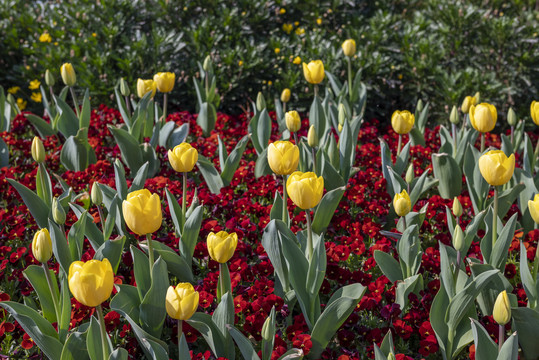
pixel 181 301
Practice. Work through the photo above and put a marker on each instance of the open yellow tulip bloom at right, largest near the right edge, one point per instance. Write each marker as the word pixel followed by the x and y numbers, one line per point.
pixel 496 168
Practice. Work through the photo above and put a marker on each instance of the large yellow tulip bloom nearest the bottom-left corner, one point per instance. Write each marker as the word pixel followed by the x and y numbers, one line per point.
pixel 91 282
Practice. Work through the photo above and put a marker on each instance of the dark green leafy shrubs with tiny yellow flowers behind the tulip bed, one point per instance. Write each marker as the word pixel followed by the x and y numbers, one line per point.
pixel 436 50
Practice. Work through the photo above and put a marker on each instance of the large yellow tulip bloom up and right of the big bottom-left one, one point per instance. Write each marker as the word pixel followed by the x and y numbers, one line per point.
pixel 142 212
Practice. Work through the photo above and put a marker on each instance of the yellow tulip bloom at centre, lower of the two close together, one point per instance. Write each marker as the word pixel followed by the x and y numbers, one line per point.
pixel 305 189
